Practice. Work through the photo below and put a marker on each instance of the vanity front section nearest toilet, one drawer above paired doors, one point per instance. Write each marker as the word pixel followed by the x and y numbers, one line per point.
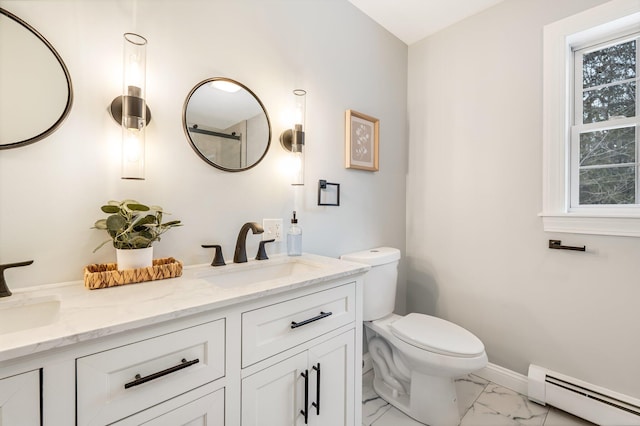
pixel 313 386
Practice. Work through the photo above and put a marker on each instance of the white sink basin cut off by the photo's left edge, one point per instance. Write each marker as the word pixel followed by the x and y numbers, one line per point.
pixel 21 312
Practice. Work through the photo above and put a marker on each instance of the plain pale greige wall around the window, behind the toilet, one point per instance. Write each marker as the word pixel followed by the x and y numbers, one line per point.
pixel 478 254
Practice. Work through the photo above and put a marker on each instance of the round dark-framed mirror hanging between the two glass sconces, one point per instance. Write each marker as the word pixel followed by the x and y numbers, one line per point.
pixel 226 124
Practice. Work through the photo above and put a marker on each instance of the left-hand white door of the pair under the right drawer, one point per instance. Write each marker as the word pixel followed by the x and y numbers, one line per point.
pixel 275 395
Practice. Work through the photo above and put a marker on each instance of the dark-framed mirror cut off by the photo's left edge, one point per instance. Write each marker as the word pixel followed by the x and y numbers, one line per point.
pixel 35 84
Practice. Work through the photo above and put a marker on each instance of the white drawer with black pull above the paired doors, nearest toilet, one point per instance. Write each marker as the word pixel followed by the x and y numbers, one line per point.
pixel 276 328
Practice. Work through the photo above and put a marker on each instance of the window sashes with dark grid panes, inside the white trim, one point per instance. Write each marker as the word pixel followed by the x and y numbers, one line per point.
pixel 604 154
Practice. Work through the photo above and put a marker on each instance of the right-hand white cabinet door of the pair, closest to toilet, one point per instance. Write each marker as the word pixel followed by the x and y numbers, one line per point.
pixel 332 382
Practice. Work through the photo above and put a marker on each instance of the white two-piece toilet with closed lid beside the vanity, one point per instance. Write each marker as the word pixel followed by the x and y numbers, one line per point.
pixel 415 357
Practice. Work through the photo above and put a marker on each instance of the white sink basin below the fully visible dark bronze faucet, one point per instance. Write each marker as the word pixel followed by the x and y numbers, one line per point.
pixel 254 272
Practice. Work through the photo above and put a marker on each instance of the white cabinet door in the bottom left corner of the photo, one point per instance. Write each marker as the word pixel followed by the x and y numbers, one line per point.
pixel 20 399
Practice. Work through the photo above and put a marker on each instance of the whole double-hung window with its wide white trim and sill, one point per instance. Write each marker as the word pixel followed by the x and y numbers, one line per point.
pixel 591 124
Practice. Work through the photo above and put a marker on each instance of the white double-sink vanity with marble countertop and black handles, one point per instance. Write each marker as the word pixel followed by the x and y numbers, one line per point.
pixel 195 351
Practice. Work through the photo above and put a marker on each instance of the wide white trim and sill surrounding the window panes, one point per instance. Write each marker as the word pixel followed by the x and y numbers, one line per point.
pixel 560 38
